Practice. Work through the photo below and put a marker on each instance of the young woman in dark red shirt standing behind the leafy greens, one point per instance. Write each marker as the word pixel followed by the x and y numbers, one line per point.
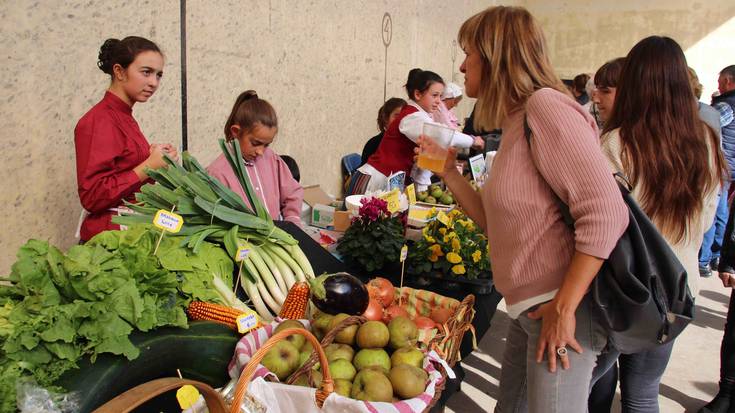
pixel 112 154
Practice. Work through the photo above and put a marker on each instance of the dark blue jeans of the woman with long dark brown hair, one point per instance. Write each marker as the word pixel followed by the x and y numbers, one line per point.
pixel 640 375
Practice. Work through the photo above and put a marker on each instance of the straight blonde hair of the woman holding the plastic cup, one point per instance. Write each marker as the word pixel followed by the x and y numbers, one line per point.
pixel 514 61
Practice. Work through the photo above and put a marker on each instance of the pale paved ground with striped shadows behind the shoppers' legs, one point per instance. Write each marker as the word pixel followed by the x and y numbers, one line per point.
pixel 690 380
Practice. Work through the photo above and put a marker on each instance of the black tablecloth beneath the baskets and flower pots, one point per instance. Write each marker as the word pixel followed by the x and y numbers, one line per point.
pixel 485 304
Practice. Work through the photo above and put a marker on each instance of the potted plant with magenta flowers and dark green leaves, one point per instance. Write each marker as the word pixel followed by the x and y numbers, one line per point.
pixel 375 237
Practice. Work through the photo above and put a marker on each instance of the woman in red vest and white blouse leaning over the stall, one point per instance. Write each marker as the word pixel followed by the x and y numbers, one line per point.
pixel 395 152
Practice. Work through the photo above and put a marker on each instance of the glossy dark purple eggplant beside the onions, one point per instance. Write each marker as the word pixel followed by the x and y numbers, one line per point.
pixel 339 293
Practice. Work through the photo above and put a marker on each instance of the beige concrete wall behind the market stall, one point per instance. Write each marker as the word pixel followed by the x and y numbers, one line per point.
pixel 321 63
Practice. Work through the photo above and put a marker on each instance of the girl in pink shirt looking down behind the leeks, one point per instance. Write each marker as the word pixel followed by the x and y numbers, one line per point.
pixel 254 124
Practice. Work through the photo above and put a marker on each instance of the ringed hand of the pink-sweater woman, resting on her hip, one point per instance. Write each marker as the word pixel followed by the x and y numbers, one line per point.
pixel 557 332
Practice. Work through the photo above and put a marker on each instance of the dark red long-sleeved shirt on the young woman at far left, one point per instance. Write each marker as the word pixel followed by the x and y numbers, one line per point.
pixel 109 144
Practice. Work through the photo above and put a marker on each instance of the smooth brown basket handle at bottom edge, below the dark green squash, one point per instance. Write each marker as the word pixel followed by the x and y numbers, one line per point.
pixel 128 401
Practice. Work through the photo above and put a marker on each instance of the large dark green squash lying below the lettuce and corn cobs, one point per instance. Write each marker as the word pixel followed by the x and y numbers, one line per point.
pixel 201 352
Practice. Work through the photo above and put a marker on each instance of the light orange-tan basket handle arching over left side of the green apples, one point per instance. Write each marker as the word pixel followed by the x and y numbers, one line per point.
pixel 325 389
